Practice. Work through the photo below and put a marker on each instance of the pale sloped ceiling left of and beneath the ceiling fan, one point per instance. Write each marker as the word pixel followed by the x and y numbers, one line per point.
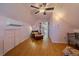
pixel 21 12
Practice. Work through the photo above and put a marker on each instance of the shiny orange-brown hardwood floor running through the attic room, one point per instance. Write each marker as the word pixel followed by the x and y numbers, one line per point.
pixel 37 48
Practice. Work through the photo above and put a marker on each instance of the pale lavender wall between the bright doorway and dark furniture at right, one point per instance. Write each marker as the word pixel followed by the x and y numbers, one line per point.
pixel 58 31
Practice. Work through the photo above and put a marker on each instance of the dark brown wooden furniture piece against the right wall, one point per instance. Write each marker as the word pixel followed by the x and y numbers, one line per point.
pixel 73 40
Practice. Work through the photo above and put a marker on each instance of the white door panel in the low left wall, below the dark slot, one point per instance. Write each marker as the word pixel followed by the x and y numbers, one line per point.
pixel 9 40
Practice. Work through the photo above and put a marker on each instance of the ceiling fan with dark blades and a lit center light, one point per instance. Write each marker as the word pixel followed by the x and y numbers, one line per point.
pixel 42 8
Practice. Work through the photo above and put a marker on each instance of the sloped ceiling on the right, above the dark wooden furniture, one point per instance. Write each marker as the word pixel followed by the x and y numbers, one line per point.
pixel 70 11
